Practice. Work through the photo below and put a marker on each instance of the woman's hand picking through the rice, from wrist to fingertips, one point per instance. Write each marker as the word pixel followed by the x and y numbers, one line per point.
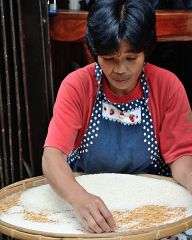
pixel 93 213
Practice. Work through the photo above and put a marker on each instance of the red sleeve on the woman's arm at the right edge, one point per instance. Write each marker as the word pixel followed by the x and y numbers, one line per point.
pixel 176 129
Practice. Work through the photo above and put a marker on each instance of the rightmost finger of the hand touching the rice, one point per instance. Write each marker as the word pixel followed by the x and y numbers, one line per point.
pixel 108 217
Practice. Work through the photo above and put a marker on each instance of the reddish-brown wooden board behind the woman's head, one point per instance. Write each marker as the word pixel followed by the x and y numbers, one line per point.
pixel 171 26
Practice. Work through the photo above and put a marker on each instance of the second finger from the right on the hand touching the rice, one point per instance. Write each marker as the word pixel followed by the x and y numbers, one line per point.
pixel 100 220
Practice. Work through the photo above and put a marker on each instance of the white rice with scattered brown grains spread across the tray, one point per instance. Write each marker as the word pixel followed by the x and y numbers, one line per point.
pixel 137 202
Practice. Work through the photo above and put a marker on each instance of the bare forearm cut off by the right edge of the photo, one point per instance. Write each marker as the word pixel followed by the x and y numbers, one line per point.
pixel 182 171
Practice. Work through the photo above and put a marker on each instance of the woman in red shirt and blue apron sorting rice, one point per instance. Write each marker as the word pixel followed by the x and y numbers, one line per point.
pixel 120 114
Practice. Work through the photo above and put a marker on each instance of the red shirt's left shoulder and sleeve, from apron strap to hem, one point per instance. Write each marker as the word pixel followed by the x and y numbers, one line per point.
pixel 72 109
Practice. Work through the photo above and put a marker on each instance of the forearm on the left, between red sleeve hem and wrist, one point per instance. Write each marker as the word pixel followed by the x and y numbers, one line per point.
pixel 59 174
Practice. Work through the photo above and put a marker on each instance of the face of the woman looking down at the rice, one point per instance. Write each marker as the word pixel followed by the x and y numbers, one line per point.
pixel 122 69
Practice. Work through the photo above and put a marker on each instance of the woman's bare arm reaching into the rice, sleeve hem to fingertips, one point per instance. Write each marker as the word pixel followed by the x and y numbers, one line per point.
pixel 90 209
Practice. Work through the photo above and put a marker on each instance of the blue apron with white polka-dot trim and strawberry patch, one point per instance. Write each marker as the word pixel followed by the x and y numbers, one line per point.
pixel 120 138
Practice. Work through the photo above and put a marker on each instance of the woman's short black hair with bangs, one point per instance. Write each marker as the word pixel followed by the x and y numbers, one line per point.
pixel 110 22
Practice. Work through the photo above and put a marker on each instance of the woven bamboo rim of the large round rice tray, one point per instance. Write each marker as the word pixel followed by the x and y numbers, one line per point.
pixel 27 234
